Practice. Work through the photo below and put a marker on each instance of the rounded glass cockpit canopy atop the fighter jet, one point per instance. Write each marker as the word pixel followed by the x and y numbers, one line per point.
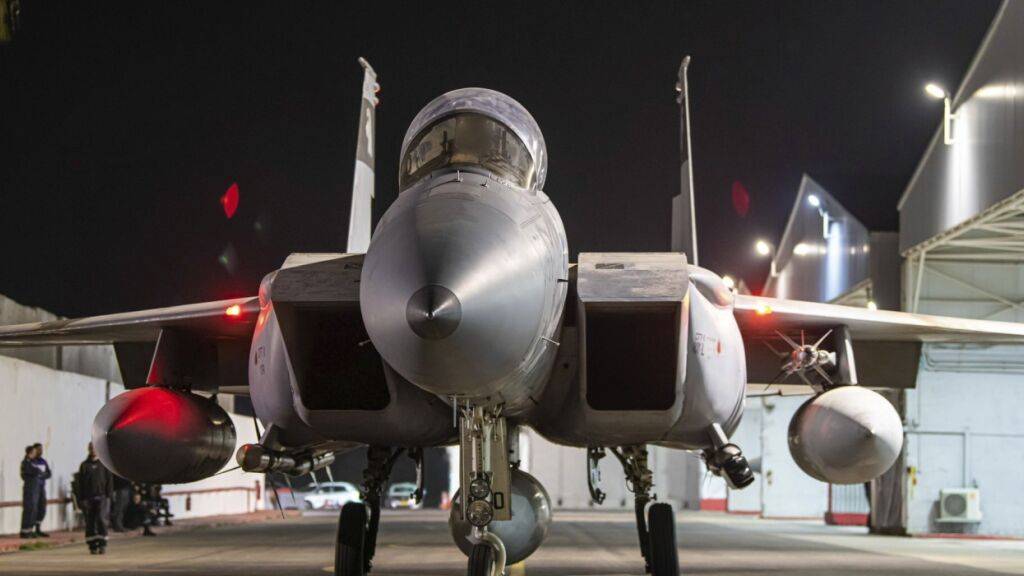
pixel 476 130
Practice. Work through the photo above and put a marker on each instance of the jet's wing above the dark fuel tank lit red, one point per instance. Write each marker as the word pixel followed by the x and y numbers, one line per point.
pixel 222 319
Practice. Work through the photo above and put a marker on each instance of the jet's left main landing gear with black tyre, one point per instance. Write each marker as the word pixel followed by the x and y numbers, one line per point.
pixel 359 524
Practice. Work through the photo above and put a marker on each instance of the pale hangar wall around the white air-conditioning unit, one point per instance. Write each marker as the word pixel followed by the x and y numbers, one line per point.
pixel 964 429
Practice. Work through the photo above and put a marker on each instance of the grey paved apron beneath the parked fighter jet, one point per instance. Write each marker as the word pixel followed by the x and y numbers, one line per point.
pixel 581 544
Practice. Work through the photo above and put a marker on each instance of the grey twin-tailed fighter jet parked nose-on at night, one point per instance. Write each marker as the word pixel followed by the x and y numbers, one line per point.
pixel 462 321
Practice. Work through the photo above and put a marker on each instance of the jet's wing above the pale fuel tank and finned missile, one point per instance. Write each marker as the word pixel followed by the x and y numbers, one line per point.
pixel 877 349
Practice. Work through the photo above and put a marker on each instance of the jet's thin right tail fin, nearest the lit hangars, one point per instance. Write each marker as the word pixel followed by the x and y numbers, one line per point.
pixel 685 226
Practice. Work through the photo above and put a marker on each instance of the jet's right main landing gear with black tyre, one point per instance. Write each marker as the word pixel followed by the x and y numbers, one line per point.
pixel 657 525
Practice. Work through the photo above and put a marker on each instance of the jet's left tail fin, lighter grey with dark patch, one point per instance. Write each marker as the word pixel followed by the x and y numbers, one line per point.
pixel 361 214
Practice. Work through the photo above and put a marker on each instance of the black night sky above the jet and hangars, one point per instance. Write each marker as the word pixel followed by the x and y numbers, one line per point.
pixel 121 128
